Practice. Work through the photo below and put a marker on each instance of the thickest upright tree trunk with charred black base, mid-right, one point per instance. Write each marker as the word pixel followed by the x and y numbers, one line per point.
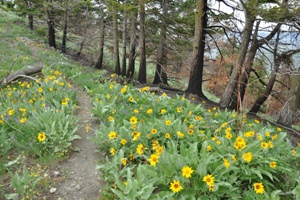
pixel 195 82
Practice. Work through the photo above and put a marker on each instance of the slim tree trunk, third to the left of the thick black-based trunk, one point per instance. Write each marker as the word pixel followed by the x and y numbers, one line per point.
pixel 132 51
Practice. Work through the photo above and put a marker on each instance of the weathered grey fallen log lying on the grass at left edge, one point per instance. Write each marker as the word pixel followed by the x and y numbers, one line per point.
pixel 24 72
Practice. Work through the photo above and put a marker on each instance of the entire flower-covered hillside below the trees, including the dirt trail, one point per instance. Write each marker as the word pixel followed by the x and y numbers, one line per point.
pixel 73 132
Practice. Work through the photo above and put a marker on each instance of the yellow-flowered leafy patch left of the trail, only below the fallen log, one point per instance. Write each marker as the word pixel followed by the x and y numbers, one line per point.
pixel 37 123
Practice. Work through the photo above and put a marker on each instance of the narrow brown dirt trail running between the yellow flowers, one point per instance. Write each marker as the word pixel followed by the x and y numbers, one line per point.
pixel 82 179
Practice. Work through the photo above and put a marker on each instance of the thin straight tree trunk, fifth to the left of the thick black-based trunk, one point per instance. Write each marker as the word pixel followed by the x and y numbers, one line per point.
pixel 116 41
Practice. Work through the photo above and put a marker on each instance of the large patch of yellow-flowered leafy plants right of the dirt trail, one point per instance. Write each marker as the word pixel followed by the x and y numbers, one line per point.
pixel 168 148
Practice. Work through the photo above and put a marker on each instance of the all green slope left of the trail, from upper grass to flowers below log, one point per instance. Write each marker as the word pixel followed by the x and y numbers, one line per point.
pixel 37 114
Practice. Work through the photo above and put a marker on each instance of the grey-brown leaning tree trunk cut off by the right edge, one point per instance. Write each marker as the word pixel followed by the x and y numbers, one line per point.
pixel 288 112
